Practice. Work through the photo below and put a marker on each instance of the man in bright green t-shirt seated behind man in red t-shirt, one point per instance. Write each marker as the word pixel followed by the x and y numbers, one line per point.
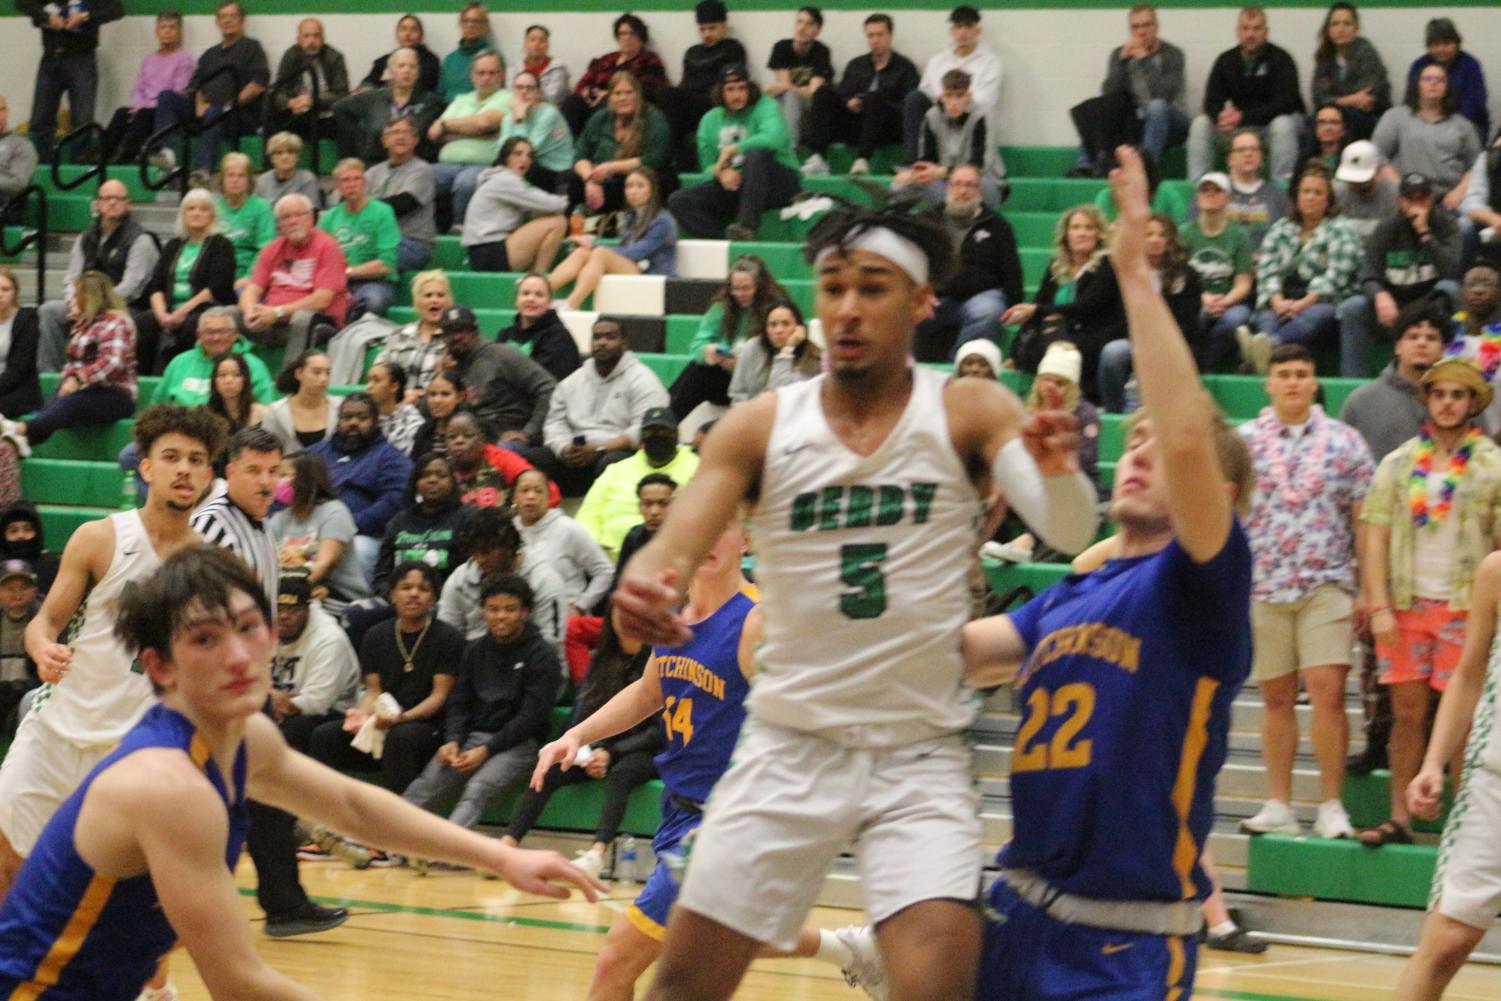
pixel 368 235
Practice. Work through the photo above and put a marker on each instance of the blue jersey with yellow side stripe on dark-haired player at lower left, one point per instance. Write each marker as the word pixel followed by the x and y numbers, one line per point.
pixel 71 934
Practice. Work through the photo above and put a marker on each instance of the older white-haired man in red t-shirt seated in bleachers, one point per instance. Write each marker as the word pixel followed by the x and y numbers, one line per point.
pixel 298 293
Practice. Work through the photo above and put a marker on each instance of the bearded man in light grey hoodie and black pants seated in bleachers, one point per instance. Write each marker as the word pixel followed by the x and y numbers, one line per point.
pixel 595 415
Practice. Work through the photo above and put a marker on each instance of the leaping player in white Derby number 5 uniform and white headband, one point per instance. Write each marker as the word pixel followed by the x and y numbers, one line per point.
pixel 867 490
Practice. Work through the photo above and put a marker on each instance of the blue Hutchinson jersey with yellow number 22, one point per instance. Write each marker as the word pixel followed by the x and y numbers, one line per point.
pixel 1127 699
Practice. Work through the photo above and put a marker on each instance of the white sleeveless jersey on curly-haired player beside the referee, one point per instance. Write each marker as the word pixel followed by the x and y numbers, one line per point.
pixel 104 693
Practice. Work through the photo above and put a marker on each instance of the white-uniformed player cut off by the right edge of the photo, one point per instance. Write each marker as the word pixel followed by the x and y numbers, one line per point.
pixel 1467 882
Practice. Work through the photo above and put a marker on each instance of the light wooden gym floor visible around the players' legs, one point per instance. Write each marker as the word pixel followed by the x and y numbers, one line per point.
pixel 454 936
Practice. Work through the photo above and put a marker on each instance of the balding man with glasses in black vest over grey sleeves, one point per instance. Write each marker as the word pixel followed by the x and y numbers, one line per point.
pixel 116 245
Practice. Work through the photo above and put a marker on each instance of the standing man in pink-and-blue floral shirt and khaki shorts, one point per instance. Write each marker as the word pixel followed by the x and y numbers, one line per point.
pixel 1313 473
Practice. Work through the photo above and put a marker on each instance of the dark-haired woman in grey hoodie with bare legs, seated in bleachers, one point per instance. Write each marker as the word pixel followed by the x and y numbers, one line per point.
pixel 513 226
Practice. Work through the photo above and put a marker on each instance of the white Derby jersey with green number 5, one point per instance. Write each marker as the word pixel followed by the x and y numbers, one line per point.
pixel 864 574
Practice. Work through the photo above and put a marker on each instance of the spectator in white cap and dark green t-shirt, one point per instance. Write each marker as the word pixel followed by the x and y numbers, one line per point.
pixel 1220 253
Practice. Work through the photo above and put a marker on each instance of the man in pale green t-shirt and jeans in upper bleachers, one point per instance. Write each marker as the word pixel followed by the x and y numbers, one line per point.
pixel 468 131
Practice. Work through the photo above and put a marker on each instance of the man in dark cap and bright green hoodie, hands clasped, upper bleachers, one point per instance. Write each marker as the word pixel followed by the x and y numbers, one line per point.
pixel 748 152
